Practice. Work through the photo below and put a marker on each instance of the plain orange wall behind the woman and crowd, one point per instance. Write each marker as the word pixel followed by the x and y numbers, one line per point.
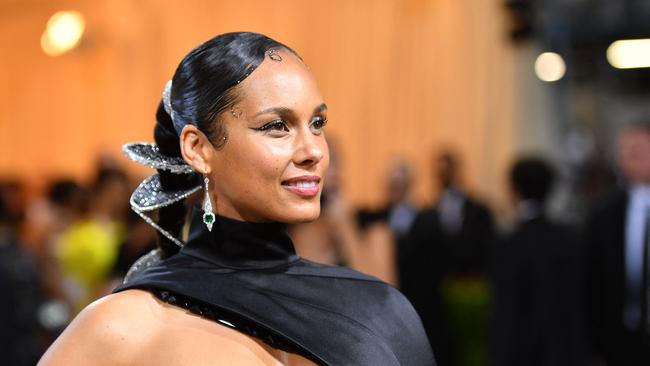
pixel 401 77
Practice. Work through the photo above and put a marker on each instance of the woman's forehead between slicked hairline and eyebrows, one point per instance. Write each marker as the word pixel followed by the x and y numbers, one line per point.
pixel 287 83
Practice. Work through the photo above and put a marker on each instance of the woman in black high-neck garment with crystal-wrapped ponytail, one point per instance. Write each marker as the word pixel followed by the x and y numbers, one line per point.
pixel 243 120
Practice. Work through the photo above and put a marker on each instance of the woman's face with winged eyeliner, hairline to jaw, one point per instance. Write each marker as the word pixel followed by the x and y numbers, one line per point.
pixel 272 164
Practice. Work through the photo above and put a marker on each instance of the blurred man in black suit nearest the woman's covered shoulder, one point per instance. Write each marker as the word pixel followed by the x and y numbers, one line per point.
pixel 447 248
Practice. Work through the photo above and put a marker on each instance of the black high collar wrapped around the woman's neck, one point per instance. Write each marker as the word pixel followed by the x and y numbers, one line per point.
pixel 240 244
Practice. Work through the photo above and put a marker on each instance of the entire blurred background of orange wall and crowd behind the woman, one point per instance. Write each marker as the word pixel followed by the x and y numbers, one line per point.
pixel 490 158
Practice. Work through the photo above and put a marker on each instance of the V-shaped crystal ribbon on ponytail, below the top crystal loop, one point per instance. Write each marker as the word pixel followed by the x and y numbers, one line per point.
pixel 150 196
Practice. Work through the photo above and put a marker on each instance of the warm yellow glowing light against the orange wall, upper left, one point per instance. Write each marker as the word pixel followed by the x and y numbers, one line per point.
pixel 63 32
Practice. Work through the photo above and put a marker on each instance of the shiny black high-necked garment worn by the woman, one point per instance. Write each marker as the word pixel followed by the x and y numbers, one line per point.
pixel 249 276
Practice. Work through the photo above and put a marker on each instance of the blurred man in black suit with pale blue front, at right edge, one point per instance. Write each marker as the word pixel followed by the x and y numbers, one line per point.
pixel 617 251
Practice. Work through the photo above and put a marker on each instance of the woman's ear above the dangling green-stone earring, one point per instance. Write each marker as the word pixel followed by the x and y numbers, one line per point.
pixel 196 149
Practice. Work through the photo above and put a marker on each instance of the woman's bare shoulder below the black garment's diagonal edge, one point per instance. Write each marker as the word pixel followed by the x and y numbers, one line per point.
pixel 134 327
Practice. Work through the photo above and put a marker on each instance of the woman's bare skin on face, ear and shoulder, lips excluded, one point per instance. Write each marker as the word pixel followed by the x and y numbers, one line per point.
pixel 248 178
